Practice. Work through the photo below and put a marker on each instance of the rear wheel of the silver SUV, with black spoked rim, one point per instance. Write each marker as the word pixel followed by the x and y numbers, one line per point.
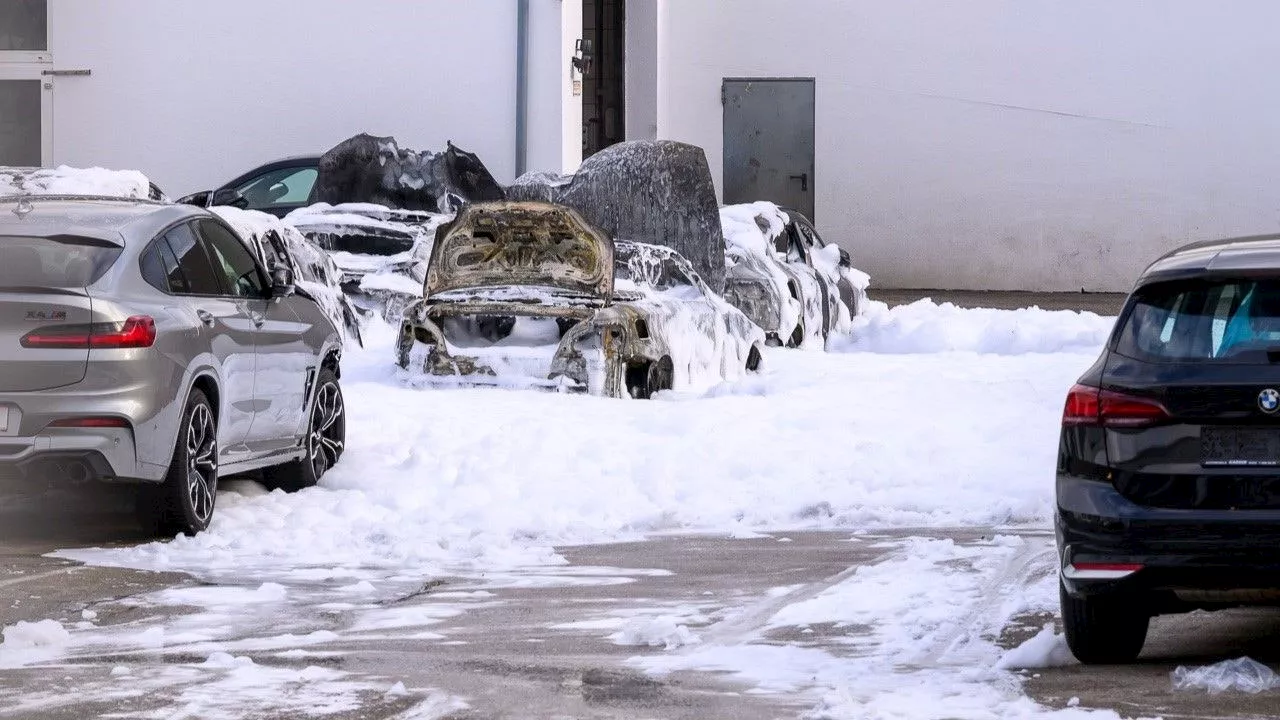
pixel 185 502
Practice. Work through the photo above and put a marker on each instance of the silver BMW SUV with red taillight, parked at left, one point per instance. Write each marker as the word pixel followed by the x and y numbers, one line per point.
pixel 141 343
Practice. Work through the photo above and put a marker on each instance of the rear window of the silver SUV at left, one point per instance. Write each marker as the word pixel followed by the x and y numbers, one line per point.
pixel 43 262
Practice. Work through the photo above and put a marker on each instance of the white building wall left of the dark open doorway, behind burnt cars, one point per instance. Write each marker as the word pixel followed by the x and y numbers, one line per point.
pixel 194 92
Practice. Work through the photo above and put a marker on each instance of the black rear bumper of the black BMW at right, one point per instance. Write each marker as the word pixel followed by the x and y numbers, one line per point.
pixel 1181 553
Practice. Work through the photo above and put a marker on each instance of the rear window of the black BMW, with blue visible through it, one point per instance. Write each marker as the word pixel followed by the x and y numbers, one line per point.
pixel 1205 321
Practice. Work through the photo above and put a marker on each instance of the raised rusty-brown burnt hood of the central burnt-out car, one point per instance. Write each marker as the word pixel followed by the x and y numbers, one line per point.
pixel 522 245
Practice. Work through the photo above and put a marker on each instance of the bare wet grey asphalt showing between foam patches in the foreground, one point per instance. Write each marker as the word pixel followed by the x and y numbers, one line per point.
pixel 522 650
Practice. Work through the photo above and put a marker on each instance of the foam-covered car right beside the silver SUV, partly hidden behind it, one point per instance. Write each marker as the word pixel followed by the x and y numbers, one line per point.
pixel 316 276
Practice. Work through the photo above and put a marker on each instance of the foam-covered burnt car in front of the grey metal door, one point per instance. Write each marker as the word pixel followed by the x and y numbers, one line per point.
pixel 787 279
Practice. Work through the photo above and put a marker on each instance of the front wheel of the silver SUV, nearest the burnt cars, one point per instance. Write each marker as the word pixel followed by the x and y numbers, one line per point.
pixel 324 443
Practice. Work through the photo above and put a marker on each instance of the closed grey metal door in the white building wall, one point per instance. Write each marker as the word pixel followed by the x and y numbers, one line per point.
pixel 769 142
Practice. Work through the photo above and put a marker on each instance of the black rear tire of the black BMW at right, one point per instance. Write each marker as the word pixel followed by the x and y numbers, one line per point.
pixel 1104 630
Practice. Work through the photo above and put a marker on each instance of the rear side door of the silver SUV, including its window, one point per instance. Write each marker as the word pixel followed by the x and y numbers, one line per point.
pixel 227 336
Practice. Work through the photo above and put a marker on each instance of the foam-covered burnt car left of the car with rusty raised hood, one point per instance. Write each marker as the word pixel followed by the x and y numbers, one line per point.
pixel 382 253
